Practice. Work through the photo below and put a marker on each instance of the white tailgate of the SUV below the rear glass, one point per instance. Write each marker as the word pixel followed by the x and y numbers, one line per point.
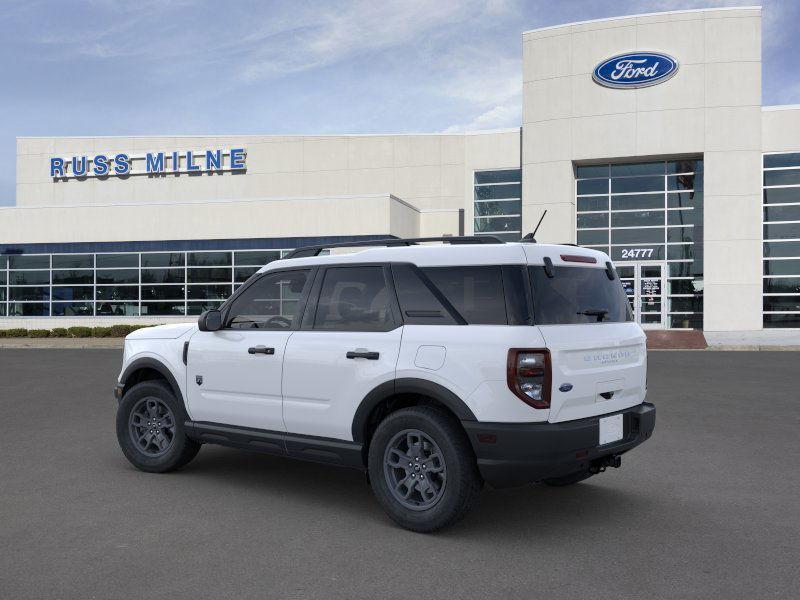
pixel 605 363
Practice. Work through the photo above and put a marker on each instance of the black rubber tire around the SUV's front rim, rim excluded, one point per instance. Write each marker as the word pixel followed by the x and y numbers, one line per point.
pixel 177 452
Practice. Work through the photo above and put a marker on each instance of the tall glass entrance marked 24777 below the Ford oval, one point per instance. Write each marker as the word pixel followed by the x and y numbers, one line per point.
pixel 649 212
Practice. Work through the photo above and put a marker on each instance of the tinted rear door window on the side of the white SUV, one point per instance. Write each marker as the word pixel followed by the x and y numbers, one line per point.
pixel 354 299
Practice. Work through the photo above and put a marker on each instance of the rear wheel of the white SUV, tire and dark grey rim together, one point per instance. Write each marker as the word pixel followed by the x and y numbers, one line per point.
pixel 422 469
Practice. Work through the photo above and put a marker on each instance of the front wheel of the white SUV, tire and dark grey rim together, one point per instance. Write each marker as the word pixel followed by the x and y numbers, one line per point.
pixel 150 428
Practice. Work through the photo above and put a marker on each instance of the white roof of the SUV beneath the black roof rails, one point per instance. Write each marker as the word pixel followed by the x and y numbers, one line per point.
pixel 447 255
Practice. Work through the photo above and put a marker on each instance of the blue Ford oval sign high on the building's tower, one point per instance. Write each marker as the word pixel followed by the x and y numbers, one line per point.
pixel 635 70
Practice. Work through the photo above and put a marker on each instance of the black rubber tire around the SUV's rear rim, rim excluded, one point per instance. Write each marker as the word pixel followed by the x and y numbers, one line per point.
pixel 461 481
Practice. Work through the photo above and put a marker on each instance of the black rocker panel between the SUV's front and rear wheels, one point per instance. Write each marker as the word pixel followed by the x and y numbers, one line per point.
pixel 312 448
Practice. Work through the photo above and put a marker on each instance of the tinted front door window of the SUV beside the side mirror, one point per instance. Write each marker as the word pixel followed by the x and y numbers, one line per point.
pixel 272 302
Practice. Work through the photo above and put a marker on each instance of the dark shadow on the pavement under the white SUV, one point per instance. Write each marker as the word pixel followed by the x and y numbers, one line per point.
pixel 554 511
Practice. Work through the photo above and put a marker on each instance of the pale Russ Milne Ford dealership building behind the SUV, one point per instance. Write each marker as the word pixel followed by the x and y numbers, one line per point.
pixel 642 136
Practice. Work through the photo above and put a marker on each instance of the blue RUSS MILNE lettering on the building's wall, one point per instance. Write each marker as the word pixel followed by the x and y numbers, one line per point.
pixel 151 163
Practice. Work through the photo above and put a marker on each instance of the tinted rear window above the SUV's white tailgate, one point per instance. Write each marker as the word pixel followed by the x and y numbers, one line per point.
pixel 577 295
